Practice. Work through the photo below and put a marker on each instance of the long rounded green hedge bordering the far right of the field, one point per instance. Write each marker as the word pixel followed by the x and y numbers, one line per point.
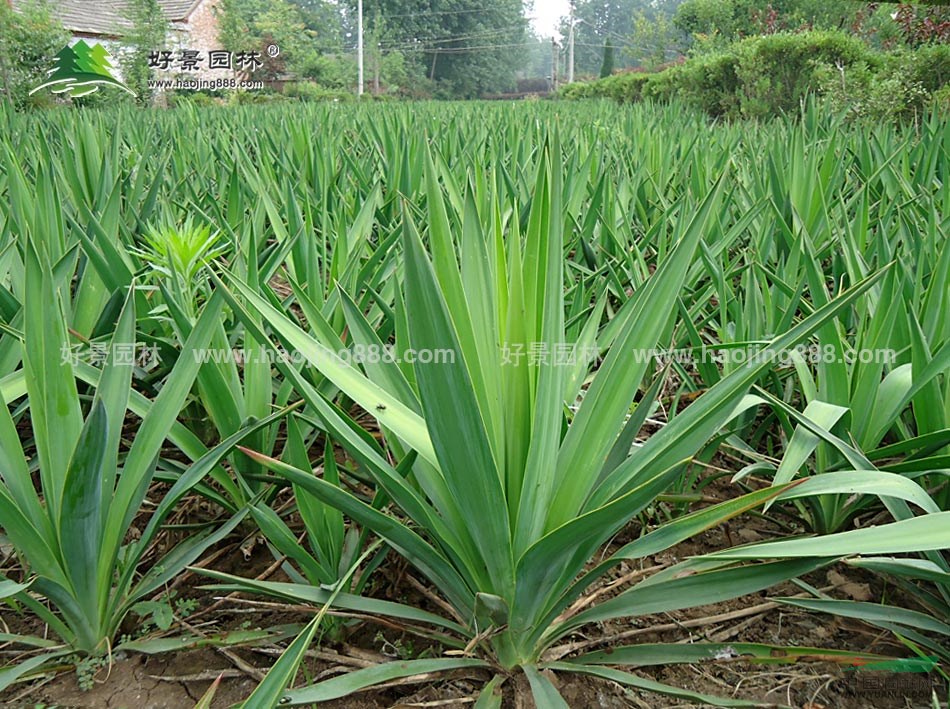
pixel 769 75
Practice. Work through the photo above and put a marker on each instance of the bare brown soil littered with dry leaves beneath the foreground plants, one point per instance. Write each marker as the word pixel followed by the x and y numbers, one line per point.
pixel 180 679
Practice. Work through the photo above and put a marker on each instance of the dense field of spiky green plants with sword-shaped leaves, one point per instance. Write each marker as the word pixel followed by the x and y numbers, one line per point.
pixel 471 393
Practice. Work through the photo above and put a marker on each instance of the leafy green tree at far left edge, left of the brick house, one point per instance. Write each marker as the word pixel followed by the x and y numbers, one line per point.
pixel 29 41
